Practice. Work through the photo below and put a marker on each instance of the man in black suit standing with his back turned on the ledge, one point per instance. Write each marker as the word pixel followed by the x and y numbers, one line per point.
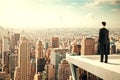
pixel 104 42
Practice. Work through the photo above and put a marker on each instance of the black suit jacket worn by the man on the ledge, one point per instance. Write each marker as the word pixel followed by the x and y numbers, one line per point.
pixel 103 36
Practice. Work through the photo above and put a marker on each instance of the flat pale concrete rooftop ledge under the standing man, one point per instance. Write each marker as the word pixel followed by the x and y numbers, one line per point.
pixel 92 64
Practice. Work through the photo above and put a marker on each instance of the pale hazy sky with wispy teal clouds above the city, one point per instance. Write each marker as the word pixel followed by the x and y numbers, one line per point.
pixel 59 13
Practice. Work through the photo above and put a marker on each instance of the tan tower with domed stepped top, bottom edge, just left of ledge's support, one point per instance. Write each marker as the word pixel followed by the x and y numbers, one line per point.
pixel 64 70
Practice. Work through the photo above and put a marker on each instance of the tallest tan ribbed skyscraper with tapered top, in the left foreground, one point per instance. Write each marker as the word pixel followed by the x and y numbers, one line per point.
pixel 24 59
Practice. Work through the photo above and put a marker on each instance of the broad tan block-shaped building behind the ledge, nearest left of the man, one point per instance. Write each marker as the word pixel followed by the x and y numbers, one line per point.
pixel 88 46
